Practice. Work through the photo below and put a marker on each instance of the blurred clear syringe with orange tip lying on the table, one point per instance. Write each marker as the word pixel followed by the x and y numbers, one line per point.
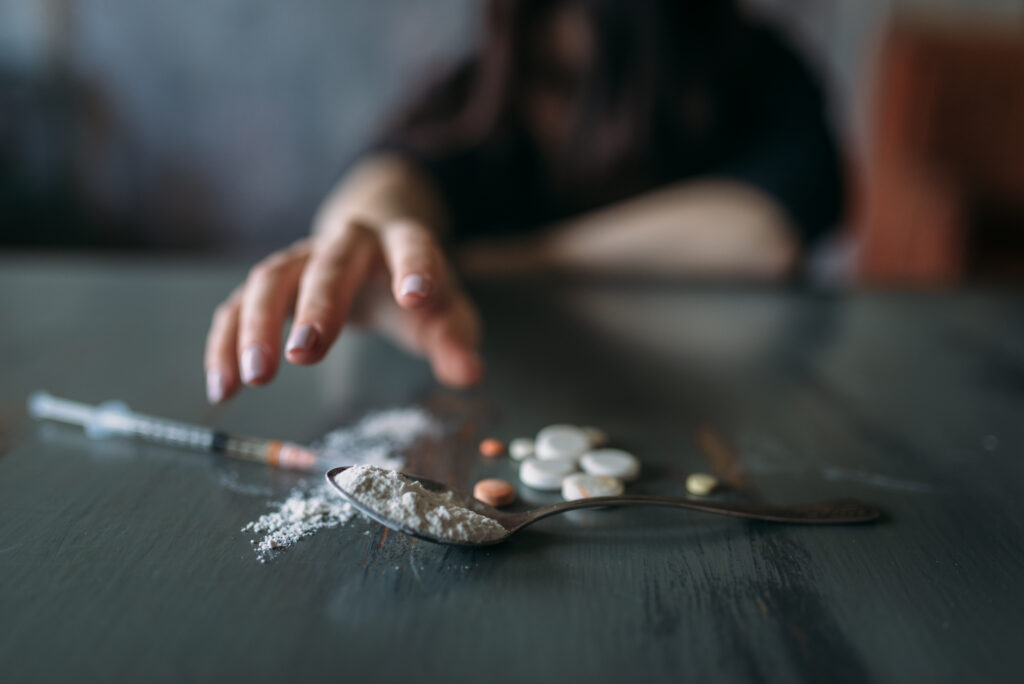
pixel 116 419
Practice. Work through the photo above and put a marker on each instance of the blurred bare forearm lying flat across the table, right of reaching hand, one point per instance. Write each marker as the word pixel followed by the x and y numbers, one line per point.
pixel 716 229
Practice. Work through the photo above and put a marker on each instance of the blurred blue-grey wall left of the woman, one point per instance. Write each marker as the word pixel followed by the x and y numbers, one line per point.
pixel 218 124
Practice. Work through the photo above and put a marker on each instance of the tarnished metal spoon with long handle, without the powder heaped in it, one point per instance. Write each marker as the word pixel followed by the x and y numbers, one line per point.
pixel 827 512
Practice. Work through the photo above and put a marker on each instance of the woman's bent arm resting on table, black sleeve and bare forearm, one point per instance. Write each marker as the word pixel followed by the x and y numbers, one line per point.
pixel 748 217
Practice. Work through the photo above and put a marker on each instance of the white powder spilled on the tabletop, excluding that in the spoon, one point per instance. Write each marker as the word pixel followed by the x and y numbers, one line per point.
pixel 379 439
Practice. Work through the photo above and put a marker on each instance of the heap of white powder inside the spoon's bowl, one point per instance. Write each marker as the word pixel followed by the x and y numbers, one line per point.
pixel 408 503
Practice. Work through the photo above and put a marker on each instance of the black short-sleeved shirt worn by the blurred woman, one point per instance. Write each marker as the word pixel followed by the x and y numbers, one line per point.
pixel 766 127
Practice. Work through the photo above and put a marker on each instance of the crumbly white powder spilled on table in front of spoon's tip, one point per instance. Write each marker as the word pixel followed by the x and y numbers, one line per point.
pixel 301 516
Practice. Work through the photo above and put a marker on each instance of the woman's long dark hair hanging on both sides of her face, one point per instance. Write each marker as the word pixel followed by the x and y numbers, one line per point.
pixel 655 64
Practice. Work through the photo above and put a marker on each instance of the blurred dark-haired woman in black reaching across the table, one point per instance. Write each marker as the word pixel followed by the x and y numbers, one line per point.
pixel 660 137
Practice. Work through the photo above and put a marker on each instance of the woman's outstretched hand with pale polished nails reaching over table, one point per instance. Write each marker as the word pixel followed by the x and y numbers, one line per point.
pixel 393 278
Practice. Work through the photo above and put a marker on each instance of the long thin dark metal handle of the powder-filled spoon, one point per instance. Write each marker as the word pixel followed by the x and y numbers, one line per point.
pixel 827 512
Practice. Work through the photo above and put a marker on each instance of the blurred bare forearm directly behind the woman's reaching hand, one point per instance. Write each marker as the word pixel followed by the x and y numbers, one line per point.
pixel 379 190
